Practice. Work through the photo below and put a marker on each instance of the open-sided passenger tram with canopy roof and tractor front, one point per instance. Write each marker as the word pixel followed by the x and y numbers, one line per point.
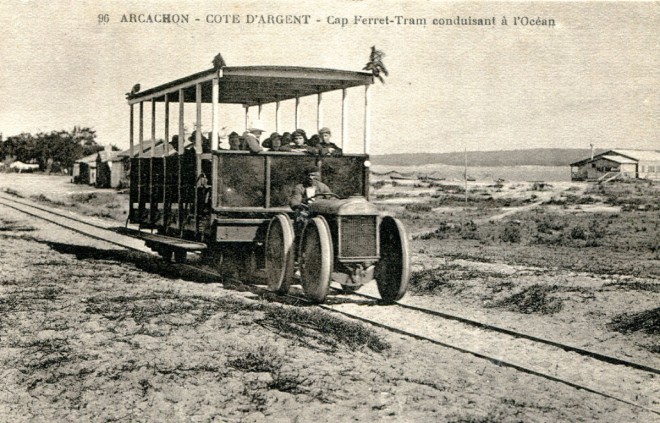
pixel 233 206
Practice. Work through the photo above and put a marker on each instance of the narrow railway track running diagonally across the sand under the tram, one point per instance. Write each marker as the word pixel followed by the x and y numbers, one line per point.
pixel 600 374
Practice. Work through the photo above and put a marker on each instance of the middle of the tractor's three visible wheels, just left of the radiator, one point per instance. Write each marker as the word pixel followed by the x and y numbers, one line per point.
pixel 316 259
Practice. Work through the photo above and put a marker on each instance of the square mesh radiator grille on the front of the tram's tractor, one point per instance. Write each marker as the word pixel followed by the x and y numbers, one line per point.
pixel 358 236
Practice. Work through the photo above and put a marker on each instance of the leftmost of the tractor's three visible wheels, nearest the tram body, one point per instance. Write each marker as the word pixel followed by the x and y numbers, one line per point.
pixel 279 253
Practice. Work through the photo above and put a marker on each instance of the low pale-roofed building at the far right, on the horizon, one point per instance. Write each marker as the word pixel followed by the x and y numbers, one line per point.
pixel 618 164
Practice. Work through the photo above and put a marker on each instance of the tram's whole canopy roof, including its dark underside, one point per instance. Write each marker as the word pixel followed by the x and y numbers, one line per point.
pixel 253 85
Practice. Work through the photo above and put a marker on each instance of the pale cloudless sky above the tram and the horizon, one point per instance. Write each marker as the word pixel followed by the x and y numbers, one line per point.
pixel 592 78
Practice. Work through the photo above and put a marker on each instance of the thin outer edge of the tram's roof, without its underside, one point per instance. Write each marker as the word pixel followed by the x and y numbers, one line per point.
pixel 362 77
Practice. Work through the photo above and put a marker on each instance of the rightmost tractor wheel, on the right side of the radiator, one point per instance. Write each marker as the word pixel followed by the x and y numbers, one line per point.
pixel 393 269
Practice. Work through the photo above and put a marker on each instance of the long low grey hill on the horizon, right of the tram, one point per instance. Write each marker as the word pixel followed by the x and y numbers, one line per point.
pixel 531 157
